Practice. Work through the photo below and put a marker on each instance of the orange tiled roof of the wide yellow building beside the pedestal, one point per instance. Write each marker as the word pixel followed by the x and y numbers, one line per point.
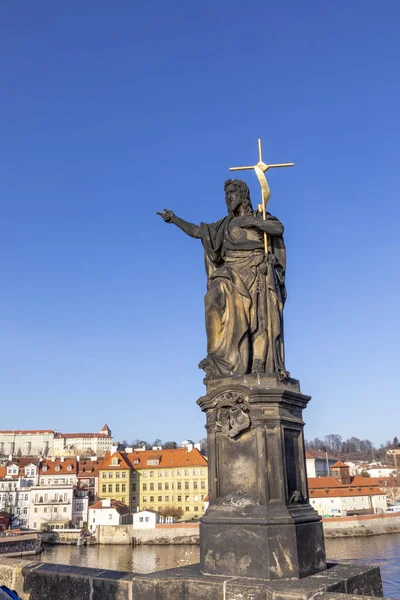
pixel 178 457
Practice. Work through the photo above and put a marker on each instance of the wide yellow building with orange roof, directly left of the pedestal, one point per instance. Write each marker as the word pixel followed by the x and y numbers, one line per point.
pixel 169 479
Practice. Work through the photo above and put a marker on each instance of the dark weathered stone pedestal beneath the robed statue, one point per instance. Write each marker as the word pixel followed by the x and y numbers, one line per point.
pixel 259 523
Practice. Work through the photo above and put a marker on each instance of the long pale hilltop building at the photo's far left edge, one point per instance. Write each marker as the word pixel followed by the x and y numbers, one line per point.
pixel 35 442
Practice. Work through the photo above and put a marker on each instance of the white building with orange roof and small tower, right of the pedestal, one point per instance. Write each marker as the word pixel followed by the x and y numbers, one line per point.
pixel 340 495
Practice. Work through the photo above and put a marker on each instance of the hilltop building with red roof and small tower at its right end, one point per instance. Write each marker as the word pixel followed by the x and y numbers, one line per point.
pixel 83 444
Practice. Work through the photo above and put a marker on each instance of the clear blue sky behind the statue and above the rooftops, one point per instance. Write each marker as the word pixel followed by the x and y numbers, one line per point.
pixel 110 111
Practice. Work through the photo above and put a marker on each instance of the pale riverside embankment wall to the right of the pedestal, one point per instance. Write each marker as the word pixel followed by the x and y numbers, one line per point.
pixel 361 526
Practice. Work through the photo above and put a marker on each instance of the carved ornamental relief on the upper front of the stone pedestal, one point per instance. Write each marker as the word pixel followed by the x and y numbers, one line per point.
pixel 231 413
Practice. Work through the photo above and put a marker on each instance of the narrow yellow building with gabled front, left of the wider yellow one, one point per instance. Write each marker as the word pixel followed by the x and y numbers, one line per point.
pixel 115 478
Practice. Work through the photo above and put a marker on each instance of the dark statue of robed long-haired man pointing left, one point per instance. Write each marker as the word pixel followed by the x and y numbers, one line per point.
pixel 246 287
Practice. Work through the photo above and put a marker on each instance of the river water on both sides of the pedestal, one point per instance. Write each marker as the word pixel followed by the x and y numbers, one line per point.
pixel 382 550
